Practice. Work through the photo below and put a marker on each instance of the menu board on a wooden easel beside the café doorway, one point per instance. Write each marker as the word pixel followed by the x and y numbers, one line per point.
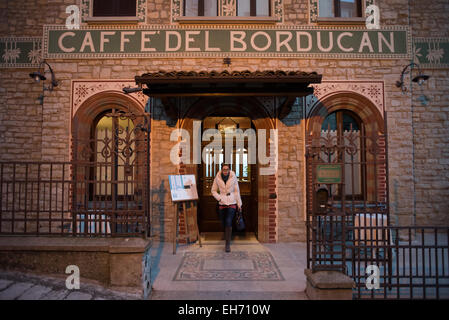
pixel 183 189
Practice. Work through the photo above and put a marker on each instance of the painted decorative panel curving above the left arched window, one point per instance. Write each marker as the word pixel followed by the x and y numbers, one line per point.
pixel 84 89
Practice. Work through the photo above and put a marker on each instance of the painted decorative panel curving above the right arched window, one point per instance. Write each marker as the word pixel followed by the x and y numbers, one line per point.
pixel 372 90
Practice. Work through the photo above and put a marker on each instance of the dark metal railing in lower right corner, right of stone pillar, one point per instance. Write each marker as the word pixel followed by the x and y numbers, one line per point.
pixel 406 262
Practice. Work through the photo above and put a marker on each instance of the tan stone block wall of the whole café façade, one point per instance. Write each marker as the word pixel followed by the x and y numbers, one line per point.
pixel 31 132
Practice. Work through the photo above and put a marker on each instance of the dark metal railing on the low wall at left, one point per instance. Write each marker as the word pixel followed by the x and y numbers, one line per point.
pixel 73 199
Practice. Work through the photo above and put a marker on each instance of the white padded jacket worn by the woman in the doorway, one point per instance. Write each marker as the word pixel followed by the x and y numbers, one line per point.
pixel 231 187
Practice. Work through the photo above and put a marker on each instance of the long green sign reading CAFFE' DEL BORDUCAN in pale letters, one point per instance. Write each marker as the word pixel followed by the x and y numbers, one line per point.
pixel 232 41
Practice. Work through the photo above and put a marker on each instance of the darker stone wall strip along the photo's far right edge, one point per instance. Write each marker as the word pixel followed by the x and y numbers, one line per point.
pixel 431 122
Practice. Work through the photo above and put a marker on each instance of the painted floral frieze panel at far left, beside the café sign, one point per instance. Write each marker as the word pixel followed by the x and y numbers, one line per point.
pixel 20 52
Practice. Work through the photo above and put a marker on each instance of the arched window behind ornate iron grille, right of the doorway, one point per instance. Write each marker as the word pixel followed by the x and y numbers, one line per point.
pixel 344 130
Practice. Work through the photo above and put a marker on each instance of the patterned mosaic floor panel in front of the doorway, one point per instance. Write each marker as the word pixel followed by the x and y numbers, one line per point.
pixel 233 266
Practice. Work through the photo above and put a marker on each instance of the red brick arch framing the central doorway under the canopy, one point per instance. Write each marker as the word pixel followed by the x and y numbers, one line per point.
pixel 267 184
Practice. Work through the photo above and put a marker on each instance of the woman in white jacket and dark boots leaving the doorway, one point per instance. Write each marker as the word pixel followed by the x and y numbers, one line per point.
pixel 228 199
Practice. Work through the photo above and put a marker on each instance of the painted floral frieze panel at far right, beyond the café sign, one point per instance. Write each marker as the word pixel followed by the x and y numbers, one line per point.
pixel 431 53
